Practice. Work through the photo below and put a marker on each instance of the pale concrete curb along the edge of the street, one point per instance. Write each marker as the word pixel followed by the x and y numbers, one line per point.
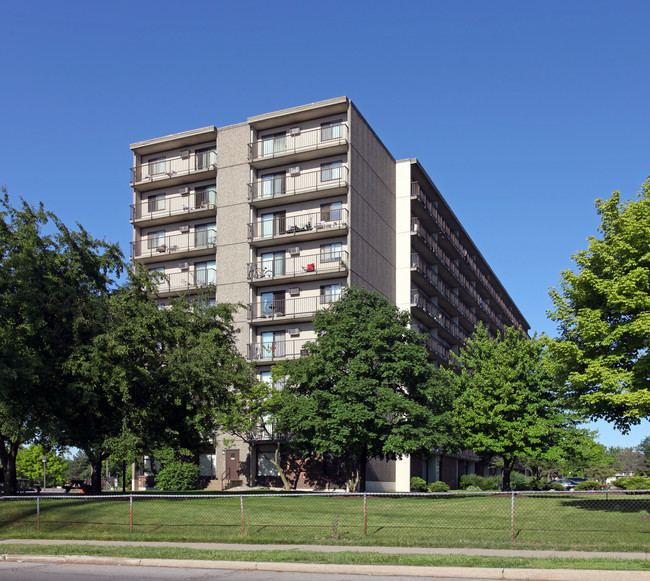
pixel 386 570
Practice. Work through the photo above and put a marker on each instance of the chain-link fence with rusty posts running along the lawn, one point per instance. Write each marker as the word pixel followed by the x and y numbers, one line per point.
pixel 609 521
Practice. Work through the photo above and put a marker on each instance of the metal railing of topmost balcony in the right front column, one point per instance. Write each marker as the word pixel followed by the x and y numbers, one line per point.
pixel 292 142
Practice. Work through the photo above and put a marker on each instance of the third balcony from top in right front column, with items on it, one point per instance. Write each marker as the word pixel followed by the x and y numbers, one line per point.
pixel 309 226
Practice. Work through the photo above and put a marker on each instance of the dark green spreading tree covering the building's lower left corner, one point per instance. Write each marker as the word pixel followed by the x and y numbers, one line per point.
pixel 151 378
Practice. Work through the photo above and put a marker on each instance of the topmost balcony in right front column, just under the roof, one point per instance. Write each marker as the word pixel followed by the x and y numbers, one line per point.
pixel 298 145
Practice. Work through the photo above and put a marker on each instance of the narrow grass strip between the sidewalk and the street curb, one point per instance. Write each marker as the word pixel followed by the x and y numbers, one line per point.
pixel 344 558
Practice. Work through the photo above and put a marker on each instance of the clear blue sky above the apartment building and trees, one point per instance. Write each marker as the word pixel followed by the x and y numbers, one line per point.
pixel 522 112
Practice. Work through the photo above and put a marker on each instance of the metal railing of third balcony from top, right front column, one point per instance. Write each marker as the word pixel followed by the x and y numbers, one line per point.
pixel 282 226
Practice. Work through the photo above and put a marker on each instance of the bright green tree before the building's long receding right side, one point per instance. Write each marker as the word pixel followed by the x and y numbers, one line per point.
pixel 507 403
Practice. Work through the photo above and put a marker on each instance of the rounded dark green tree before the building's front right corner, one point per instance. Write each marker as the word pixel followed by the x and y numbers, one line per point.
pixel 365 389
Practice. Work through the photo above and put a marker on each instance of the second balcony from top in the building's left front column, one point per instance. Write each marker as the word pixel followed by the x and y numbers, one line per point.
pixel 171 209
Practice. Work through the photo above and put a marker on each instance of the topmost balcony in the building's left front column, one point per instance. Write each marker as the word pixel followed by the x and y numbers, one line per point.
pixel 165 172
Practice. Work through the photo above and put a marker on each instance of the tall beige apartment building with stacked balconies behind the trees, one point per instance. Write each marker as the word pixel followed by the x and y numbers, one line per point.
pixel 283 211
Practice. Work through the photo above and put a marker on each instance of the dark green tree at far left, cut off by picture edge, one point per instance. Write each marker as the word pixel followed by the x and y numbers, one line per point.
pixel 50 279
